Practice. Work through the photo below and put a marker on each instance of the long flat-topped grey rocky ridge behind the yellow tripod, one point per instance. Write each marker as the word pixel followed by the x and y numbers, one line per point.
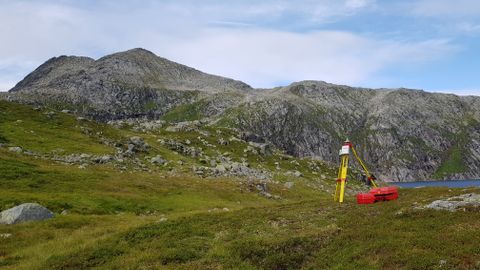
pixel 403 134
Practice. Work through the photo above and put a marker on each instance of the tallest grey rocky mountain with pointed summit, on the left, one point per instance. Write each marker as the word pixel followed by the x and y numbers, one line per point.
pixel 126 84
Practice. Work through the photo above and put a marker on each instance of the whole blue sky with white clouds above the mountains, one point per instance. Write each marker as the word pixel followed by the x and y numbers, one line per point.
pixel 425 44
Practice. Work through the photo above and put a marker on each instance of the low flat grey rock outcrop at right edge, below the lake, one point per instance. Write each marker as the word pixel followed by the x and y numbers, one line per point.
pixel 470 200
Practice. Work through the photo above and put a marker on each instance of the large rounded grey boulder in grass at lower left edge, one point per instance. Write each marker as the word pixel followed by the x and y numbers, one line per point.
pixel 25 212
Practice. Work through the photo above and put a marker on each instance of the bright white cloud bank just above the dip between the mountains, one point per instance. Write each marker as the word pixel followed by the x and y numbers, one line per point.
pixel 263 57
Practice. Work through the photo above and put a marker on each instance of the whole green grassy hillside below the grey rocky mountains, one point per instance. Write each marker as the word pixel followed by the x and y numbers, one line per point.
pixel 129 213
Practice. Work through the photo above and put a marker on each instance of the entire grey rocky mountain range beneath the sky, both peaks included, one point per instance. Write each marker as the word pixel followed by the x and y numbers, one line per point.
pixel 403 134
